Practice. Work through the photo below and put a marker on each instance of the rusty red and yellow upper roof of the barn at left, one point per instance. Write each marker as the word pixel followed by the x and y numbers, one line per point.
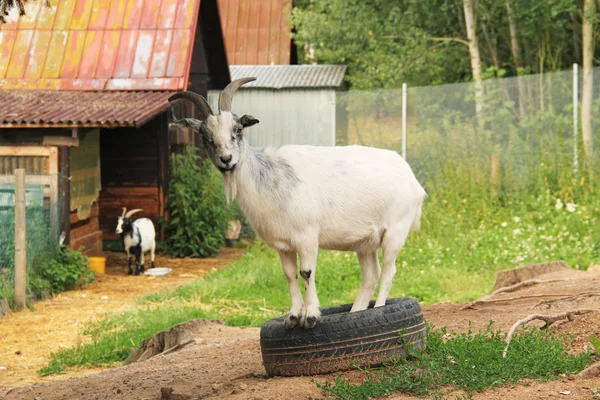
pixel 98 45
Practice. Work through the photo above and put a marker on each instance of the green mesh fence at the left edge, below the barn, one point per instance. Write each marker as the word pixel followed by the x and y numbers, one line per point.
pixel 43 205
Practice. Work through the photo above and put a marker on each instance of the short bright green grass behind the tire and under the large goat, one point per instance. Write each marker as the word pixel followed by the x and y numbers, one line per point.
pixel 452 259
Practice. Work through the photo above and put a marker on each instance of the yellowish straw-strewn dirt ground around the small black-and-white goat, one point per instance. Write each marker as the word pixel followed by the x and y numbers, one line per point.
pixel 28 337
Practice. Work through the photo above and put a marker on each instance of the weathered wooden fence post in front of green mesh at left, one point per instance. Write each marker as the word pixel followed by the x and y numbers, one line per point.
pixel 20 240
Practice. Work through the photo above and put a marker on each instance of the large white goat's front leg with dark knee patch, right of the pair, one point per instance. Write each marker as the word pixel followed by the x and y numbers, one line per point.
pixel 308 264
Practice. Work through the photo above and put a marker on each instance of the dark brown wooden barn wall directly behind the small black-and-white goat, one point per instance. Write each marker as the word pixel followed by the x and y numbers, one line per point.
pixel 134 165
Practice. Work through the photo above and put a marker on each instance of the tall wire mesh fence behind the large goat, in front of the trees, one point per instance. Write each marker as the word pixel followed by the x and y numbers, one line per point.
pixel 525 124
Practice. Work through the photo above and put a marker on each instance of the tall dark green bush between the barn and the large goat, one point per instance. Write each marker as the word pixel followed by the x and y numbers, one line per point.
pixel 197 208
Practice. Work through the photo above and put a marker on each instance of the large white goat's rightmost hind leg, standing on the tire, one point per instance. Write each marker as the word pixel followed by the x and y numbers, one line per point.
pixel 392 244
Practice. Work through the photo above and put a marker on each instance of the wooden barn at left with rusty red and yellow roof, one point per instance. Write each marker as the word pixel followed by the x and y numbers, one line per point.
pixel 83 97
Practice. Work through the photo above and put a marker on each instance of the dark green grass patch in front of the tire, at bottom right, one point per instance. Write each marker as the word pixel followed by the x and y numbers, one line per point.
pixel 471 362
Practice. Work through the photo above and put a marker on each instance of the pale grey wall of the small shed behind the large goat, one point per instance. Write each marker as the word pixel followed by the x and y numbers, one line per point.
pixel 287 116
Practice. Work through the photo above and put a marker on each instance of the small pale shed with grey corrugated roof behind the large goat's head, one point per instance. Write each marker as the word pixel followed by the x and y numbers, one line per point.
pixel 296 104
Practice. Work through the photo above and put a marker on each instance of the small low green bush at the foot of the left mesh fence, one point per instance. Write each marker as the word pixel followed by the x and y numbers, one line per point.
pixel 68 270
